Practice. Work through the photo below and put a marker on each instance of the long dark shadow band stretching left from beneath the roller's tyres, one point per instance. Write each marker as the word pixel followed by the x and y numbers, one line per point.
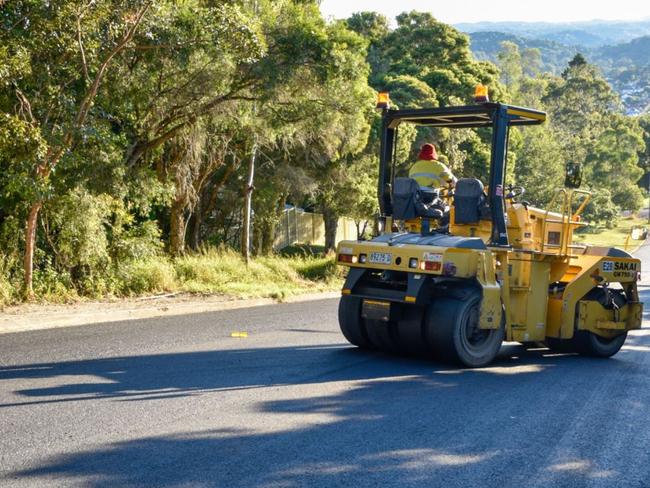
pixel 154 376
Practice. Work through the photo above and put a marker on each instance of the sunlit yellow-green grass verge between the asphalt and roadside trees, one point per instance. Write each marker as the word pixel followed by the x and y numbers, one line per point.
pixel 212 271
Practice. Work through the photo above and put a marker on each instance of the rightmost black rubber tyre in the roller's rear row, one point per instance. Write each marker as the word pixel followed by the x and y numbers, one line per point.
pixel 453 334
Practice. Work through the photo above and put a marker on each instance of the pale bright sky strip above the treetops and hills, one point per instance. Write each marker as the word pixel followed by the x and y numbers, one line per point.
pixel 455 11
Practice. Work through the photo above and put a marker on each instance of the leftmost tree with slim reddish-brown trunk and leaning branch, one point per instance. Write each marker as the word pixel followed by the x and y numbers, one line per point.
pixel 56 92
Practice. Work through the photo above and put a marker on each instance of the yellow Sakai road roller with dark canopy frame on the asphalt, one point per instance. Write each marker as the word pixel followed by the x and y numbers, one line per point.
pixel 452 274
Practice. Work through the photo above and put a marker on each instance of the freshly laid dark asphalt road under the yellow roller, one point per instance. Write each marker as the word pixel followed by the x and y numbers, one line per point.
pixel 179 402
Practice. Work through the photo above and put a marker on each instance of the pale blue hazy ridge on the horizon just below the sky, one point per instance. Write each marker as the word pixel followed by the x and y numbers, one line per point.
pixel 590 34
